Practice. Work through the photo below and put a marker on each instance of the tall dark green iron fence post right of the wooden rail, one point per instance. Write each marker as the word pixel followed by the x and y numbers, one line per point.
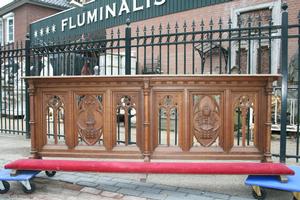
pixel 284 82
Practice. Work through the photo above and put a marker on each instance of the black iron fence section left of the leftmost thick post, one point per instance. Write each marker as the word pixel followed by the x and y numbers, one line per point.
pixel 13 89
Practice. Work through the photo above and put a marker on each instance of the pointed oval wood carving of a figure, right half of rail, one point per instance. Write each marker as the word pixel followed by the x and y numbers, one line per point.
pixel 207 121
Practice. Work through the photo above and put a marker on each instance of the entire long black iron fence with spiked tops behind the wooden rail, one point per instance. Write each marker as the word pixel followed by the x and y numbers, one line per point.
pixel 250 44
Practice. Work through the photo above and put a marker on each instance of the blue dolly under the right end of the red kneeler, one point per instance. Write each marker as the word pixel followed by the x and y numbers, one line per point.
pixel 273 182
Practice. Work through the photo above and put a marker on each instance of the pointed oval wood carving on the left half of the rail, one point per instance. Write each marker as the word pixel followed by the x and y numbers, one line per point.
pixel 90 119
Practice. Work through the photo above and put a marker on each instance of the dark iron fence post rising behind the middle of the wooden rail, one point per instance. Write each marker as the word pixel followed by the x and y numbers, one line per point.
pixel 128 48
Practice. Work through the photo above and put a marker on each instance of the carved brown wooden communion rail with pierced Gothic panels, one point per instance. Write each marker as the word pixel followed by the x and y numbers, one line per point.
pixel 152 117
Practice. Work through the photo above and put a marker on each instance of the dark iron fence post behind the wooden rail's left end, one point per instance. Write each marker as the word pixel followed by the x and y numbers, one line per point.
pixel 27 73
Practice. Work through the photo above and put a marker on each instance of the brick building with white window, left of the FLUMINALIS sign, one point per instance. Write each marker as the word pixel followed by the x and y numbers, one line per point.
pixel 16 16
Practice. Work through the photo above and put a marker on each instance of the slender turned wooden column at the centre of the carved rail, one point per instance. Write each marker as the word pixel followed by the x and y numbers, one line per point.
pixel 147 120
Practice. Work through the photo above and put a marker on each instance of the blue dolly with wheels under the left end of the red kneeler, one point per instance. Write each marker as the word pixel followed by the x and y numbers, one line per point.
pixel 24 177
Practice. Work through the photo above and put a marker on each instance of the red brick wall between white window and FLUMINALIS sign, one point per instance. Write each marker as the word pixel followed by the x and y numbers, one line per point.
pixel 26 14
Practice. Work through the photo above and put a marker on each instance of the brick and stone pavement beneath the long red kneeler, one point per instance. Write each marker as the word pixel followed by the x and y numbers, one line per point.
pixel 78 186
